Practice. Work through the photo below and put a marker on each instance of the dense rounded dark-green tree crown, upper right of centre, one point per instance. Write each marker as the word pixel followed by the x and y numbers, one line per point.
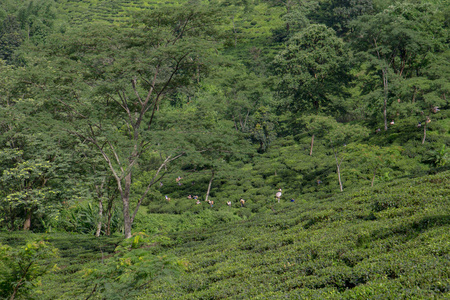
pixel 312 68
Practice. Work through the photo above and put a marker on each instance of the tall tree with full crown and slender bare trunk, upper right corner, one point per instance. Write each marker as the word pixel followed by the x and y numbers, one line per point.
pixel 398 42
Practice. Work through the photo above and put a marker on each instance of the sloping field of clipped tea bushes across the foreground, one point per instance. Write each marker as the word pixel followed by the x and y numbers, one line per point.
pixel 387 242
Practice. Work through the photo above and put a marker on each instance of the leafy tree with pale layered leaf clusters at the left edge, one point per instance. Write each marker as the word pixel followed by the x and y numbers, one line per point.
pixel 38 170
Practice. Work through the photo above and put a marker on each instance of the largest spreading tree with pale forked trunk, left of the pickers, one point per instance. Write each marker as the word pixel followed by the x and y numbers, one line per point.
pixel 127 72
